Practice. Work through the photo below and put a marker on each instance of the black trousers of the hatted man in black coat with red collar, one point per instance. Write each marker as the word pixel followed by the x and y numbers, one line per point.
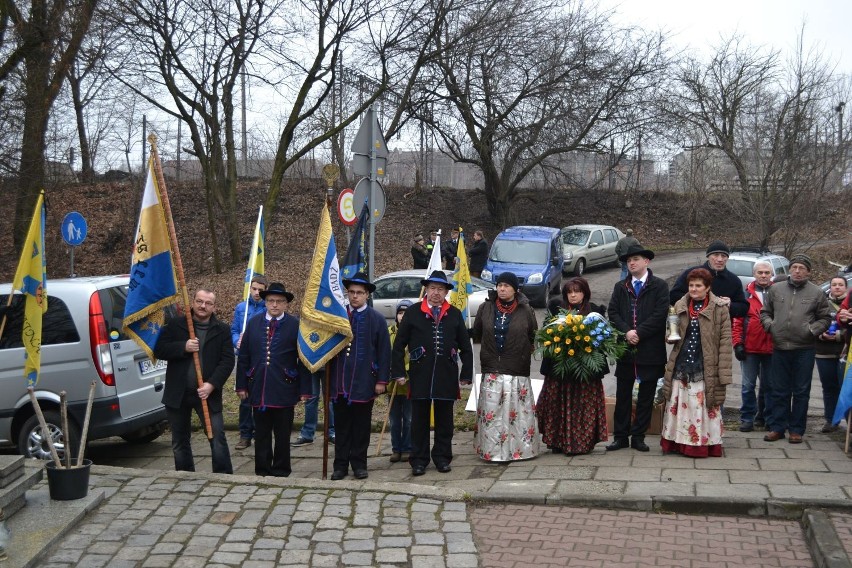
pixel 442 449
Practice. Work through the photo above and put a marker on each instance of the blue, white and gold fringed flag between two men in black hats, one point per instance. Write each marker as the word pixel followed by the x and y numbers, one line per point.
pixel 324 328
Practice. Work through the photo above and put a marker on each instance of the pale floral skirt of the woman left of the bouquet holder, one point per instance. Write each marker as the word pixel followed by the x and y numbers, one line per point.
pixel 506 428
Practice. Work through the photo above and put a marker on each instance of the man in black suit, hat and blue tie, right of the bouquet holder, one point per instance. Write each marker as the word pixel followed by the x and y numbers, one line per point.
pixel 638 307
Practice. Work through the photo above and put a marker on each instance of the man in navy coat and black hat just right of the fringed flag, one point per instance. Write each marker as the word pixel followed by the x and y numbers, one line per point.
pixel 358 374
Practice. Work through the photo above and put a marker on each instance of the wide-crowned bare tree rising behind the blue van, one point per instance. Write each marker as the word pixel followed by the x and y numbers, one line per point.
pixel 525 81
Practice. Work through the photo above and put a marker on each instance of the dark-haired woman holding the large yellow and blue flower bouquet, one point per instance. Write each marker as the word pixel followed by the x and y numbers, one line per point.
pixel 571 412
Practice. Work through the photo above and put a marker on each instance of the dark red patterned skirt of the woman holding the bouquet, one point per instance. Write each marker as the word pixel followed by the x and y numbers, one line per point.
pixel 571 414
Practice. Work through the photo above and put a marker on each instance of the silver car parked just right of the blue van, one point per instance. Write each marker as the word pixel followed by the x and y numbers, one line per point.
pixel 587 246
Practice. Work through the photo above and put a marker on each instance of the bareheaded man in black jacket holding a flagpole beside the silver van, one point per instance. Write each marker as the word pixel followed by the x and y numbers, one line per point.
pixel 182 394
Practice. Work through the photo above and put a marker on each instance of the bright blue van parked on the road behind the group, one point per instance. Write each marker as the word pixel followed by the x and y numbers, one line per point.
pixel 534 255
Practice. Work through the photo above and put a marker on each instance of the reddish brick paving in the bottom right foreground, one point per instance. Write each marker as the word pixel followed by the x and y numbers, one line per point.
pixel 520 536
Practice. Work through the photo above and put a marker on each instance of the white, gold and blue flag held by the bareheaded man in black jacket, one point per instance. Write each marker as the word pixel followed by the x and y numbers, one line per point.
pixel 153 285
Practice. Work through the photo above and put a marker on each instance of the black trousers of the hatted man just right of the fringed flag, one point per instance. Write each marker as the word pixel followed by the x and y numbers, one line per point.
pixel 352 425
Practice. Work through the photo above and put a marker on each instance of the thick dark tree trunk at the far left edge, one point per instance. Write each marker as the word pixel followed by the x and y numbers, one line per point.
pixel 47 38
